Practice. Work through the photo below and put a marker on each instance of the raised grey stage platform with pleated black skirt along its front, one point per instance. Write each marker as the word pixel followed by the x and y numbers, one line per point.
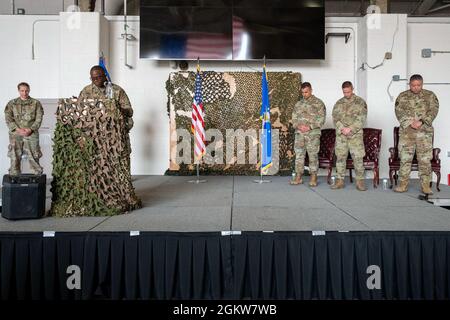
pixel 278 249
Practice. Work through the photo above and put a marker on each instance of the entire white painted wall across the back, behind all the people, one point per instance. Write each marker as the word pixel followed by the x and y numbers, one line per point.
pixel 145 82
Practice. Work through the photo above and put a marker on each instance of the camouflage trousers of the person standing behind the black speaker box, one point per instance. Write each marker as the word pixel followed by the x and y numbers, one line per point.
pixel 28 145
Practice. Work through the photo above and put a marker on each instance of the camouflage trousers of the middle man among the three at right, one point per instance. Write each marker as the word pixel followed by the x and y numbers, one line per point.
pixel 354 144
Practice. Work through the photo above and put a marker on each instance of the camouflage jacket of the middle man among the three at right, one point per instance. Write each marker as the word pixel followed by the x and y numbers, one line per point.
pixel 350 113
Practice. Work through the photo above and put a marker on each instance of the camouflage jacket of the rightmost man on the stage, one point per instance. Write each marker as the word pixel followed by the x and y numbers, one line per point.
pixel 423 106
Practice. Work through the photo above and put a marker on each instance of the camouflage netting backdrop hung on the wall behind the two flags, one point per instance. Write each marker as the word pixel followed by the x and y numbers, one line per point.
pixel 232 100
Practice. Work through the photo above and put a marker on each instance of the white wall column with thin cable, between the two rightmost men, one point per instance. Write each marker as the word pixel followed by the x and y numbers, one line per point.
pixel 383 32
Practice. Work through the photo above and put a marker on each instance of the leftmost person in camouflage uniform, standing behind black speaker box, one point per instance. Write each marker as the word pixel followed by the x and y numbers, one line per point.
pixel 23 117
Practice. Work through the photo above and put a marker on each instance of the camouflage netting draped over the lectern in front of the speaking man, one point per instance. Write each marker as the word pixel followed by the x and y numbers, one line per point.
pixel 91 169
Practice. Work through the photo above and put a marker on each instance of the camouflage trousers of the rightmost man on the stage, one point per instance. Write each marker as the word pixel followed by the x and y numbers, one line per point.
pixel 420 142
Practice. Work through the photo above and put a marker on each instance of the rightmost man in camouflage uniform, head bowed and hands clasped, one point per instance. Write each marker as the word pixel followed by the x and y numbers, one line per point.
pixel 416 109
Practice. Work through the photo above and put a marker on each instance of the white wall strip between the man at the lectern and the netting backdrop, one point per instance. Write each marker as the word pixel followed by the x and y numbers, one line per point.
pixel 145 86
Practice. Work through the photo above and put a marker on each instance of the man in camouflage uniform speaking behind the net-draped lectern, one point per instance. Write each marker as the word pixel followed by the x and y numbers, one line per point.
pixel 97 90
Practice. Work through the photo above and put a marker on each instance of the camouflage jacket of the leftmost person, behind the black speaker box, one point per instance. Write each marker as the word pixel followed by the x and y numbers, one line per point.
pixel 24 114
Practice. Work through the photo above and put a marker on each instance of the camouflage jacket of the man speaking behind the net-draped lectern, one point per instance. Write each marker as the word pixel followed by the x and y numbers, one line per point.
pixel 121 99
